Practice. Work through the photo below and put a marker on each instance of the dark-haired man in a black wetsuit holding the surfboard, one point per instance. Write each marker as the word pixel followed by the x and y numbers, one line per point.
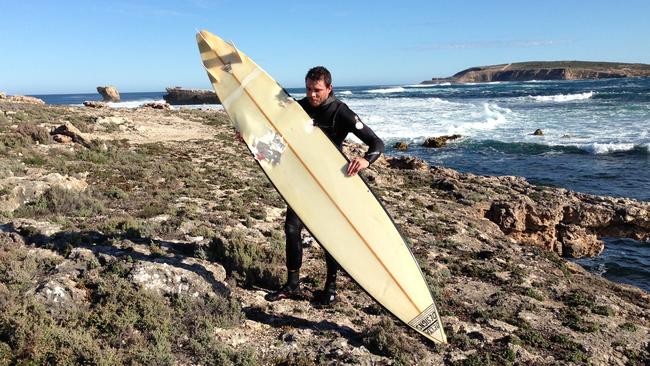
pixel 336 120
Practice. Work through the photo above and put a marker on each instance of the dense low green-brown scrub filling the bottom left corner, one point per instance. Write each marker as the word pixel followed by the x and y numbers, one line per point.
pixel 118 323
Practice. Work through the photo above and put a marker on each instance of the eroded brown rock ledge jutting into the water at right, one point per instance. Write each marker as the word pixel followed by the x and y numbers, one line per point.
pixel 568 223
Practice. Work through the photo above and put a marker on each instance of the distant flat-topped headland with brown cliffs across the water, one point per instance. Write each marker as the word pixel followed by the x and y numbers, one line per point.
pixel 546 70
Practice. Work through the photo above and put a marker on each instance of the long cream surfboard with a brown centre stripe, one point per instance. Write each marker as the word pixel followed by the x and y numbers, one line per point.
pixel 309 172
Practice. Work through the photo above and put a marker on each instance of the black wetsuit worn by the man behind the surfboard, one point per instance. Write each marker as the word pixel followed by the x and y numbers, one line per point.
pixel 337 120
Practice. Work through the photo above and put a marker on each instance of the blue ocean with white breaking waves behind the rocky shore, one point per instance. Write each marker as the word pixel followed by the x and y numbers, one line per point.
pixel 596 138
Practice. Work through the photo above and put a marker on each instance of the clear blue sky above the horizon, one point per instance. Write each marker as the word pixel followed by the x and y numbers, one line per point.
pixel 73 46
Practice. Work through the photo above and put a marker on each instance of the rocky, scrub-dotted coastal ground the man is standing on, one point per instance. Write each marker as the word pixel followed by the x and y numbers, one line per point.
pixel 149 236
